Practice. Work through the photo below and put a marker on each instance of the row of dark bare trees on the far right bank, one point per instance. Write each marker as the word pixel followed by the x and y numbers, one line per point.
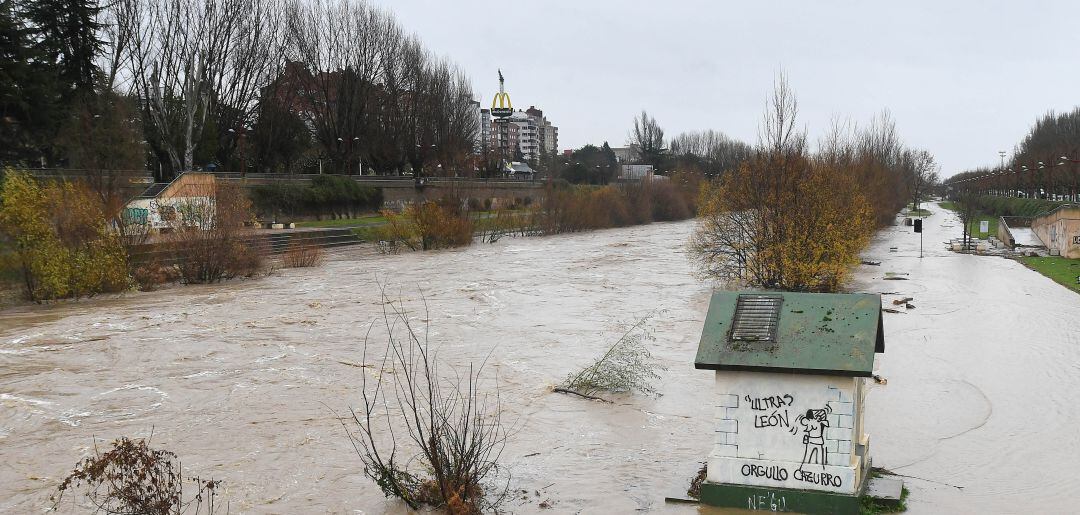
pixel 1044 166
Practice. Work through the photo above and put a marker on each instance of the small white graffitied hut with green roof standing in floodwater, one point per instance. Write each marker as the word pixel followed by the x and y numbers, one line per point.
pixel 790 375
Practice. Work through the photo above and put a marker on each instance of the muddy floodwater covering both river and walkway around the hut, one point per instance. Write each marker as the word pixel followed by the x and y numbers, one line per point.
pixel 241 381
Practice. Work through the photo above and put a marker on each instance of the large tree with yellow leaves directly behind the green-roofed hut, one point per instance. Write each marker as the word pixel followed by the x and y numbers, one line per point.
pixel 784 220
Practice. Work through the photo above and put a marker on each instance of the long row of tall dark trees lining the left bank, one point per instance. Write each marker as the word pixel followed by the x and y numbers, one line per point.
pixel 274 86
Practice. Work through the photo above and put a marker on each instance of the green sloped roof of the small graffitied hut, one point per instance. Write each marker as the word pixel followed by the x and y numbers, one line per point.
pixel 827 334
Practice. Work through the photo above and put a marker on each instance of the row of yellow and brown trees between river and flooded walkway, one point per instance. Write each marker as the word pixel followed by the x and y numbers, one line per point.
pixel 791 219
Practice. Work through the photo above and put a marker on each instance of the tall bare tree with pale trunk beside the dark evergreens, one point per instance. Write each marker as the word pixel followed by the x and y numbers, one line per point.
pixel 195 61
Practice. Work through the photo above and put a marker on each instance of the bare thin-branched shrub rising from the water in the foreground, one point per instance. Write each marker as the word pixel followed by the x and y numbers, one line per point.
pixel 454 426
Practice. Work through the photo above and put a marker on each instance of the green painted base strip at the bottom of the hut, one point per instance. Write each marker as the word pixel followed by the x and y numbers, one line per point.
pixel 778 499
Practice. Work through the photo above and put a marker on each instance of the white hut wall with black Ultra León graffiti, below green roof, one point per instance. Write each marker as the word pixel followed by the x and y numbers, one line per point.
pixel 765 436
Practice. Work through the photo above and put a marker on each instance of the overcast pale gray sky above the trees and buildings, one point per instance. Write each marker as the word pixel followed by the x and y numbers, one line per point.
pixel 963 79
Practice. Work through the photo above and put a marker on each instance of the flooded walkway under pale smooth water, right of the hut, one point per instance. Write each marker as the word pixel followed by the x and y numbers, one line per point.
pixel 980 410
